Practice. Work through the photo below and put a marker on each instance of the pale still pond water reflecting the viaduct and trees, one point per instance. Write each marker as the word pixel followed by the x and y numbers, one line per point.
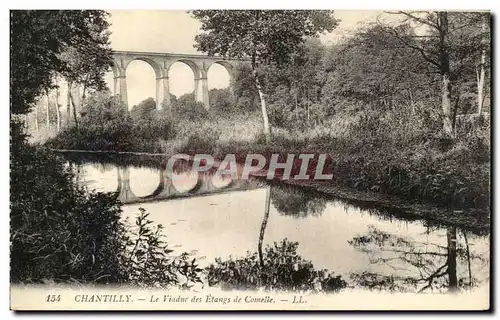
pixel 214 217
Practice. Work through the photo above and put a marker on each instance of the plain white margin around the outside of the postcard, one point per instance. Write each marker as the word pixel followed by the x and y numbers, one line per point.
pixel 191 4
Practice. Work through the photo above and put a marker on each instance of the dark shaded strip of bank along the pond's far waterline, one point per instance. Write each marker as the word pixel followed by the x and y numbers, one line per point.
pixel 476 219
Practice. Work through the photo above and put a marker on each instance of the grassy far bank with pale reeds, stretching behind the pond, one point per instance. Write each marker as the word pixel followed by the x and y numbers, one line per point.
pixel 379 154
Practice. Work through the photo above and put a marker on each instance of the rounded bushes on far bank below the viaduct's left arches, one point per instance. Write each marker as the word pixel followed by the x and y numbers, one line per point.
pixel 106 125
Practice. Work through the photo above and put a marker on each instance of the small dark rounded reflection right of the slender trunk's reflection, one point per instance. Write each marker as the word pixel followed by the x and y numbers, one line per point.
pixel 291 201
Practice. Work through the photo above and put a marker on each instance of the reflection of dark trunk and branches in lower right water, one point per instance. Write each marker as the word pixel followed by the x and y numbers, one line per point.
pixel 417 266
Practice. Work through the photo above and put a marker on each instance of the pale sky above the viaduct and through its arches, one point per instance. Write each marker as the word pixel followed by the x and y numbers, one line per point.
pixel 174 31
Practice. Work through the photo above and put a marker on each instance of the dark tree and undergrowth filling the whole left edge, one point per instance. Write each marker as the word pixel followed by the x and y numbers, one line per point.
pixel 53 220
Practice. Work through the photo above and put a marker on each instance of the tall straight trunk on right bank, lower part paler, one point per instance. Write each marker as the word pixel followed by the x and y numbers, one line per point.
pixel 444 61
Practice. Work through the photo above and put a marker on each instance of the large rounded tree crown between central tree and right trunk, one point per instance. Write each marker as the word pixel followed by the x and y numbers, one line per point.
pixel 372 69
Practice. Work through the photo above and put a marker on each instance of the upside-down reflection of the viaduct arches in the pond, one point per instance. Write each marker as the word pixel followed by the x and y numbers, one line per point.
pixel 167 190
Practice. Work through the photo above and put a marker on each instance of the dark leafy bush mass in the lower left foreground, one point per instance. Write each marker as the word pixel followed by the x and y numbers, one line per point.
pixel 58 231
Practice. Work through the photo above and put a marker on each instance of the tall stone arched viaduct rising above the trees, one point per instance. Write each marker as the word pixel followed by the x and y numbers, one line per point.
pixel 161 63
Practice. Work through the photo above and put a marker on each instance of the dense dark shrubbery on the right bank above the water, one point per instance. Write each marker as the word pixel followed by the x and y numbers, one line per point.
pixel 418 162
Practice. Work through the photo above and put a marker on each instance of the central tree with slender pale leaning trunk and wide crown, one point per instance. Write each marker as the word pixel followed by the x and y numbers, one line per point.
pixel 263 36
